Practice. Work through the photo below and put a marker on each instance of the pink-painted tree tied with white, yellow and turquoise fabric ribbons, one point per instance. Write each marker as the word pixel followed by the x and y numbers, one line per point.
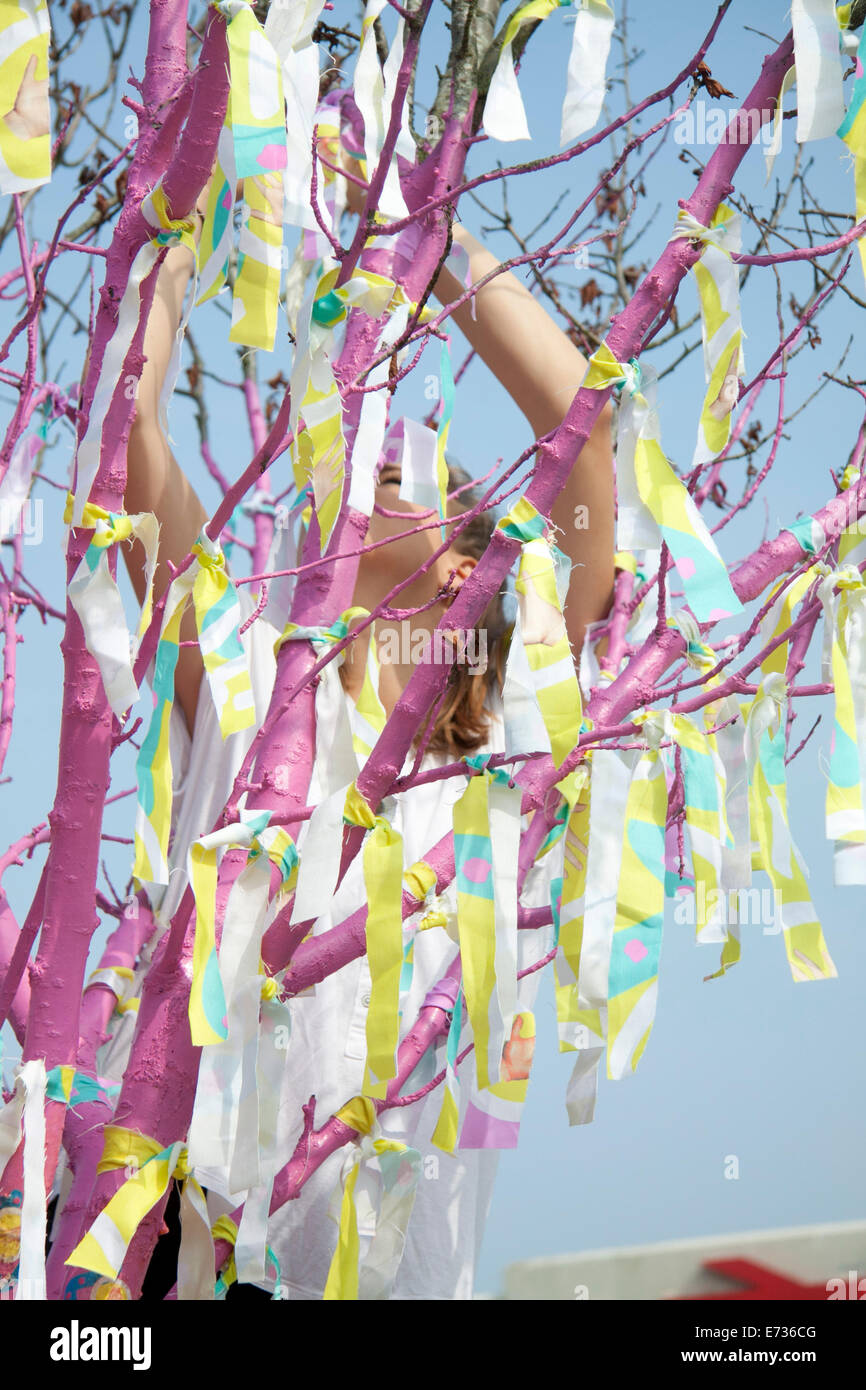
pixel 668 761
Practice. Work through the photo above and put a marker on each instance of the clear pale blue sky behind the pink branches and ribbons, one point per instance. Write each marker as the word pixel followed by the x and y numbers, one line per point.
pixel 747 1067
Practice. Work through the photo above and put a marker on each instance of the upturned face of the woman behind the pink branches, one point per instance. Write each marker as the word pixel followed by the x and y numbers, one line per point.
pixel 384 566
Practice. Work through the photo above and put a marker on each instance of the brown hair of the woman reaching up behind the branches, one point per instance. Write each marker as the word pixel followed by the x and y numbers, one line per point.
pixel 462 721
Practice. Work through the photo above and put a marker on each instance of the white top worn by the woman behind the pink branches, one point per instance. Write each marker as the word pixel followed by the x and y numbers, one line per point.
pixel 326 1056
